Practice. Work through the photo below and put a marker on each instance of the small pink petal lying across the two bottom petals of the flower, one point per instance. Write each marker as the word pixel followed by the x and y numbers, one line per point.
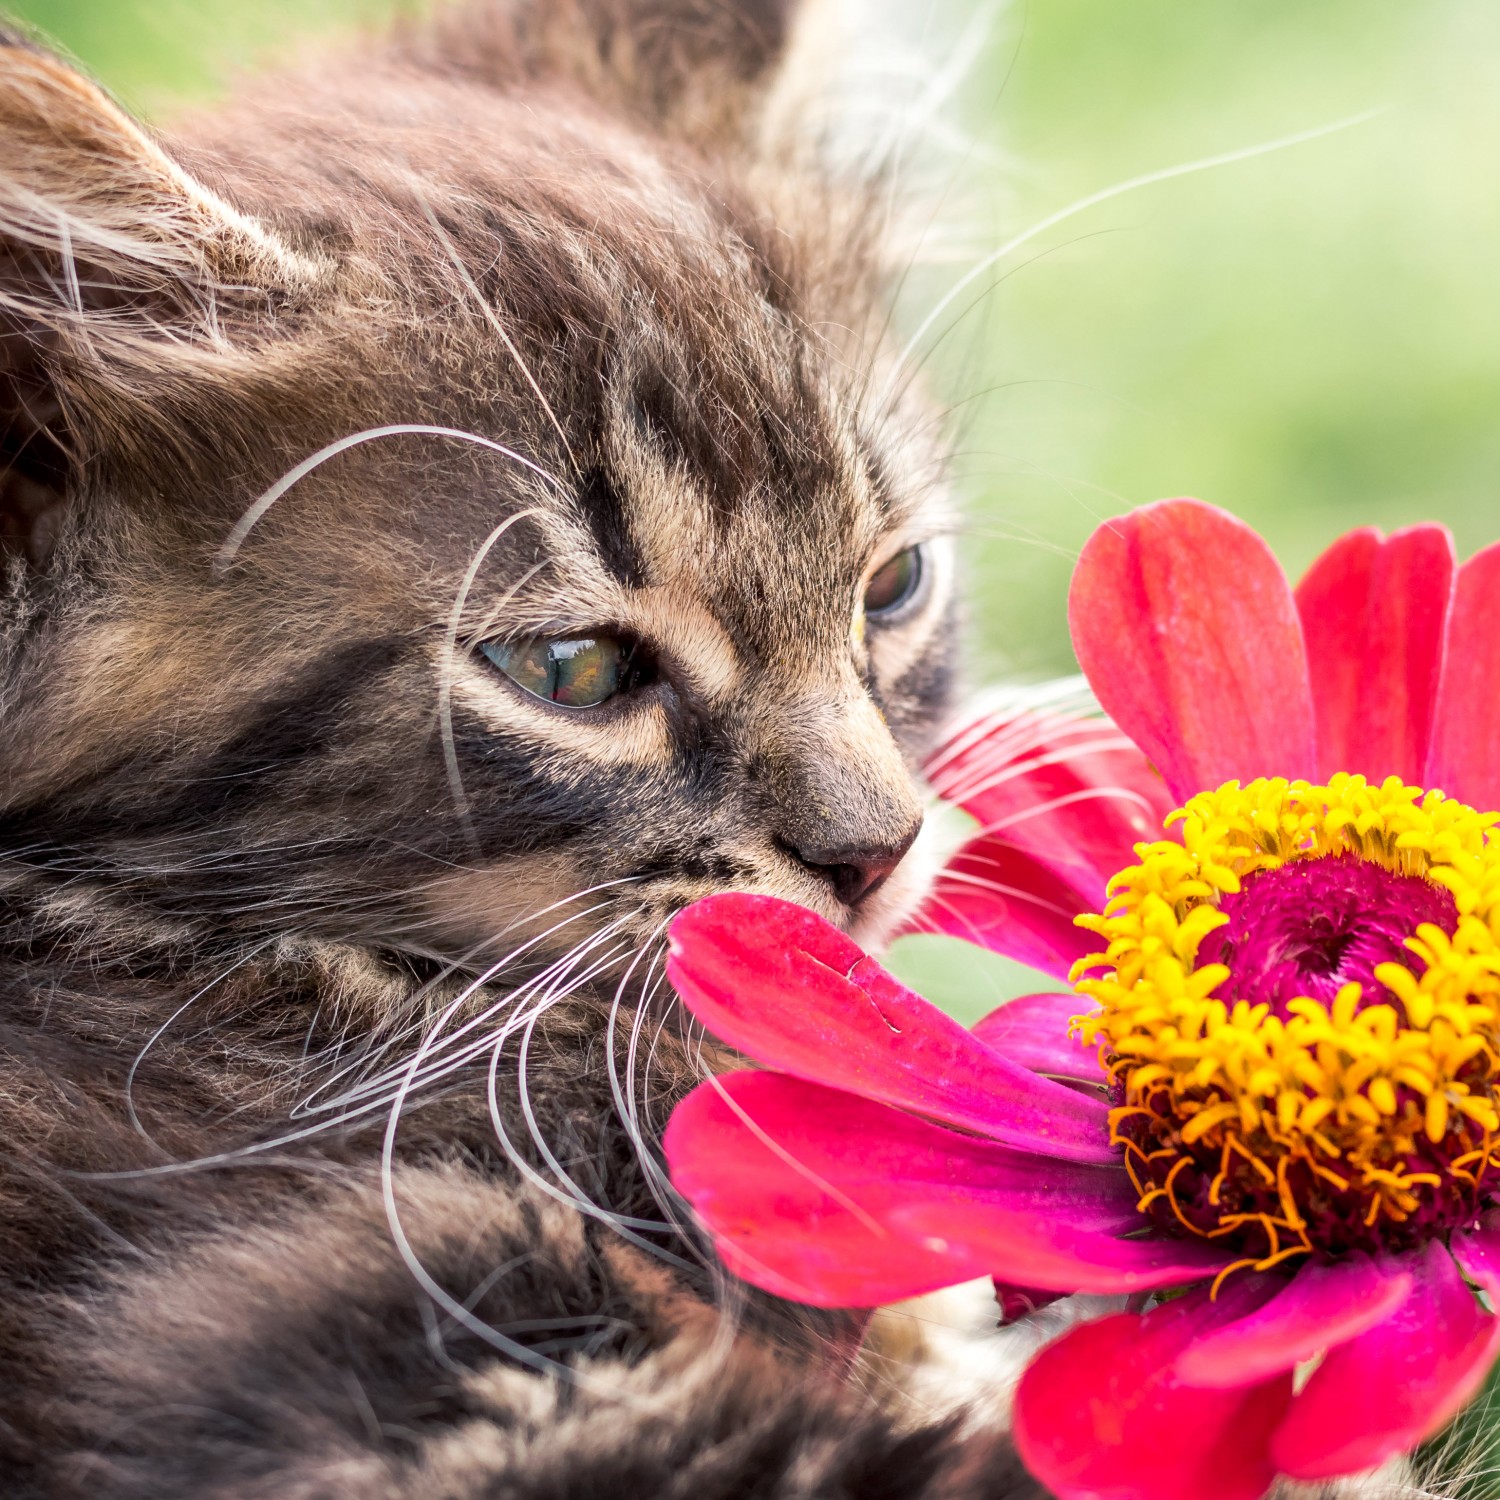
pixel 1322 1306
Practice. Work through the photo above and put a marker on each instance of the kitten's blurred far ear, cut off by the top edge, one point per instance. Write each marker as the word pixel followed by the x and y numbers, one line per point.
pixel 692 68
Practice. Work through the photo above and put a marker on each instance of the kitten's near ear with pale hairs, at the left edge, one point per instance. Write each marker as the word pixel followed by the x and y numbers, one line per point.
pixel 109 251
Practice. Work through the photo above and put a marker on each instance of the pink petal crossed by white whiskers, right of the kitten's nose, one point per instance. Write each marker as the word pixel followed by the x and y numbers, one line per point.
pixel 1072 793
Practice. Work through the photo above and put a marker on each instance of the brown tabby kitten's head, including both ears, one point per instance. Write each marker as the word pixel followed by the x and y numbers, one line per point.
pixel 455 497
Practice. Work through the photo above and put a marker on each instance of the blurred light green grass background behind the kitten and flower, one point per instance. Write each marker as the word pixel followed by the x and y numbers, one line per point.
pixel 1310 338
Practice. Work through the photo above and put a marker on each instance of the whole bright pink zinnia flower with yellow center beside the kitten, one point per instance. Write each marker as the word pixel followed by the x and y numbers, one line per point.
pixel 1273 1120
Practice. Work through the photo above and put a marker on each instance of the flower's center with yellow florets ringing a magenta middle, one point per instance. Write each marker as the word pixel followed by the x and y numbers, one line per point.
pixel 1300 1013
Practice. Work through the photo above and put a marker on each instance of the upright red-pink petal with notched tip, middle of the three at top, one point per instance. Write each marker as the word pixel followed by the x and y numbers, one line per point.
pixel 1375 614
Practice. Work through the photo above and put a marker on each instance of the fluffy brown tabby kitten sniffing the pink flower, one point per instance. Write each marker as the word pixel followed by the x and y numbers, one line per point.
pixel 448 527
